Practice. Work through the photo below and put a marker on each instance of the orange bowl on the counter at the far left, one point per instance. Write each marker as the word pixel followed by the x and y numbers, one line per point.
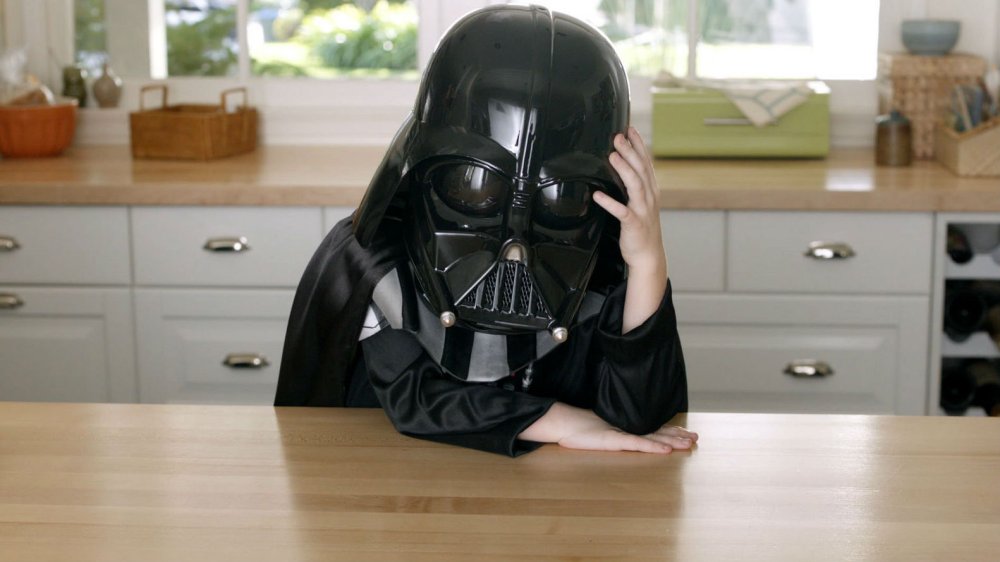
pixel 37 130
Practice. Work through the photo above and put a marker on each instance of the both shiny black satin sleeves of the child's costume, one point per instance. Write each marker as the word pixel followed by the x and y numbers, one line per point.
pixel 635 382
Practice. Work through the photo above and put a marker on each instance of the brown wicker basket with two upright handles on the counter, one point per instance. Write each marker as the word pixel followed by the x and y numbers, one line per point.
pixel 192 131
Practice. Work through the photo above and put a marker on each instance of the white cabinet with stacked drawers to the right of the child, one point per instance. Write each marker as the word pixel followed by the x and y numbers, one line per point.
pixel 840 300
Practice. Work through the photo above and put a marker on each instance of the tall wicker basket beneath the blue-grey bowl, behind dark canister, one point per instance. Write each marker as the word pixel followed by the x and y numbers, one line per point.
pixel 920 87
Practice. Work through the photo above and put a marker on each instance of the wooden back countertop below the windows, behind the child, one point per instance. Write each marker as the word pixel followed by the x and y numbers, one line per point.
pixel 338 175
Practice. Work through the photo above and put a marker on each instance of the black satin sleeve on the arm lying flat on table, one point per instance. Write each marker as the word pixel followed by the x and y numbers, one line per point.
pixel 423 402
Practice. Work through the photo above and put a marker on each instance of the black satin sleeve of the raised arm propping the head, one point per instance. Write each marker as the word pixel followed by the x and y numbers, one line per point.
pixel 639 378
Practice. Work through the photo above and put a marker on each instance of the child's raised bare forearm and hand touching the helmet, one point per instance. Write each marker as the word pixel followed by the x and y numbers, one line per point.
pixel 641 243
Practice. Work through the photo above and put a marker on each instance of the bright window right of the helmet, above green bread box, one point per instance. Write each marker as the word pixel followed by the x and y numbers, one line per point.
pixel 778 39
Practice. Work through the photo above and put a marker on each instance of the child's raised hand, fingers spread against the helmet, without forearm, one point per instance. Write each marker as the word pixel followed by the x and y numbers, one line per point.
pixel 641 243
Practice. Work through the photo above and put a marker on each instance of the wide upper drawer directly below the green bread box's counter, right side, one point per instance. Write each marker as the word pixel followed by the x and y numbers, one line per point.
pixel 767 252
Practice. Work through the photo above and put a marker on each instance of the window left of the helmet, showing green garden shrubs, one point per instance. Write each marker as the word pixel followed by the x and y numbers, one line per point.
pixel 283 38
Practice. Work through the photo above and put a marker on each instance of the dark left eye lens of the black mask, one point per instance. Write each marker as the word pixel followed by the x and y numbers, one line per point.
pixel 469 189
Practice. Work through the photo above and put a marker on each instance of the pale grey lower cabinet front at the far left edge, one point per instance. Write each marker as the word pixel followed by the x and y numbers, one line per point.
pixel 66 345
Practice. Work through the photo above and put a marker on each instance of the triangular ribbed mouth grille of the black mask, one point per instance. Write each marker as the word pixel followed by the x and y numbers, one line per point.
pixel 507 290
